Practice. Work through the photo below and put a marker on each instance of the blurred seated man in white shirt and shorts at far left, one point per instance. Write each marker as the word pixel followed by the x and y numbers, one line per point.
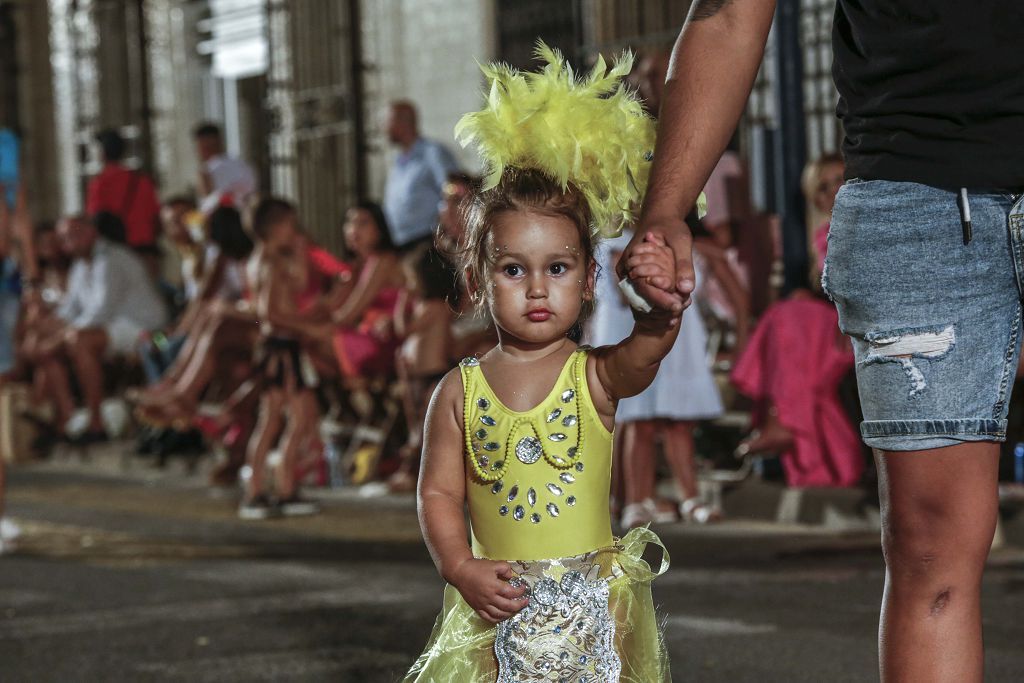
pixel 110 304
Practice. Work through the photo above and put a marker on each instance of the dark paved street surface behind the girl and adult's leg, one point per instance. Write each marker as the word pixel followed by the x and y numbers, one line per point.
pixel 133 576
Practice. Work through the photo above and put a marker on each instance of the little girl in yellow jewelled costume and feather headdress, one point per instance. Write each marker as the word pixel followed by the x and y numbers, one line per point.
pixel 543 591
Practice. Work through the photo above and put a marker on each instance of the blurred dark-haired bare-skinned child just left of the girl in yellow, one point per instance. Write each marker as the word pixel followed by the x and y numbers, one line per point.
pixel 425 328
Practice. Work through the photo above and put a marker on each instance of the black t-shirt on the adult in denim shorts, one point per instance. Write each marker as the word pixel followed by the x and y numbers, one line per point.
pixel 932 92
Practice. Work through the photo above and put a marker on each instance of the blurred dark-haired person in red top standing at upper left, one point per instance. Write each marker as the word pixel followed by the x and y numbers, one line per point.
pixel 125 193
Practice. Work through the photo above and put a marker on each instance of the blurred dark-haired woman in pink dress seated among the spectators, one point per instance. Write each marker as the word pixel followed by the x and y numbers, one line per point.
pixel 364 337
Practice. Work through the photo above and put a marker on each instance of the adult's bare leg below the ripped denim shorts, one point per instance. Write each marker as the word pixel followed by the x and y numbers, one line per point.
pixel 938 517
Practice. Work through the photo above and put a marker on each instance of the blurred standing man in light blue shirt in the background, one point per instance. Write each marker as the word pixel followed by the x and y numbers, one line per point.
pixel 414 187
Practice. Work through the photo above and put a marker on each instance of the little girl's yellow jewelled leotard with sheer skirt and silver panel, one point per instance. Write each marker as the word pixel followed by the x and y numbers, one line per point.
pixel 538 485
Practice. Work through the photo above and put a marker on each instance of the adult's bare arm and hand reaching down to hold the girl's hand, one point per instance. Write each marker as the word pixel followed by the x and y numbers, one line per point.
pixel 713 67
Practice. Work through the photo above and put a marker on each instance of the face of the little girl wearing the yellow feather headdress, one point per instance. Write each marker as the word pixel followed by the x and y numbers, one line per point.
pixel 539 277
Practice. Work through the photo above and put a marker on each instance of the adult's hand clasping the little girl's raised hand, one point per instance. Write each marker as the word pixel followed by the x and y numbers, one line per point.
pixel 674 297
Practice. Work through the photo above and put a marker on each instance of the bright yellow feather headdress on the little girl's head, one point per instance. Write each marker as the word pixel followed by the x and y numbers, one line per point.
pixel 591 133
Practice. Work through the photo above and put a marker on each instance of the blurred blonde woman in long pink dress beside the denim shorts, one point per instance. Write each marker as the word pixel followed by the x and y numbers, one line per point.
pixel 793 367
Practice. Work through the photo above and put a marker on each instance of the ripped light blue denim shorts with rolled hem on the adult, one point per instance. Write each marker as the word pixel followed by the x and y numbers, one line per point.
pixel 935 324
